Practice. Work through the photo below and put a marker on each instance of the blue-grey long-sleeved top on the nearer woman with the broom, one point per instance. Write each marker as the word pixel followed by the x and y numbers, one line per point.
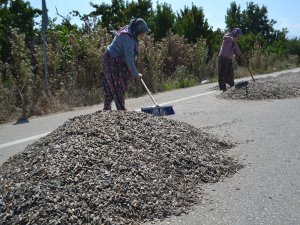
pixel 124 46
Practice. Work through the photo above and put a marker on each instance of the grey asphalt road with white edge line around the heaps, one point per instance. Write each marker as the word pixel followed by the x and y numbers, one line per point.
pixel 267 134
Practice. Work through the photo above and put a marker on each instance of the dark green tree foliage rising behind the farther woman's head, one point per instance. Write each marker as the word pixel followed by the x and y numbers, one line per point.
pixel 257 28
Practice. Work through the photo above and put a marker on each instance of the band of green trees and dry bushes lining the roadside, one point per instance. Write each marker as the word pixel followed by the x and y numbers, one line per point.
pixel 181 51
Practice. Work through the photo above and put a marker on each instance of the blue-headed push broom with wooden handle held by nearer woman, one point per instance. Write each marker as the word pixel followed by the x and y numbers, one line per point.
pixel 157 110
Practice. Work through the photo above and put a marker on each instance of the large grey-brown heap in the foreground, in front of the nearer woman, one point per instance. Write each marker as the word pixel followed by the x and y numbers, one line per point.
pixel 111 168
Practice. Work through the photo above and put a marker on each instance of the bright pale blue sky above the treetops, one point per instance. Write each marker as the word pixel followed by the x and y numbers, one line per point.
pixel 286 12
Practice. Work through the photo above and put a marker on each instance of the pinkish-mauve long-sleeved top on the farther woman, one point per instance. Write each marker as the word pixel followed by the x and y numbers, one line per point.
pixel 229 47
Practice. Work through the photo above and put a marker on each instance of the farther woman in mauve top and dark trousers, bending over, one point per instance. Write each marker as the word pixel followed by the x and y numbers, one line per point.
pixel 229 48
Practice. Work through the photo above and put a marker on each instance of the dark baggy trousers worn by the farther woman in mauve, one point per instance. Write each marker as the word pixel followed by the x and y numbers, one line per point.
pixel 225 72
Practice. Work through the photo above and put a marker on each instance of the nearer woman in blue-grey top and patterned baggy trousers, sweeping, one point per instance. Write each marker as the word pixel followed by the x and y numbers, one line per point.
pixel 119 62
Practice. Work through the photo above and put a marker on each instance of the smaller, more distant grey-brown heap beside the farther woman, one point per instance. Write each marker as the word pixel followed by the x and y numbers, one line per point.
pixel 281 87
